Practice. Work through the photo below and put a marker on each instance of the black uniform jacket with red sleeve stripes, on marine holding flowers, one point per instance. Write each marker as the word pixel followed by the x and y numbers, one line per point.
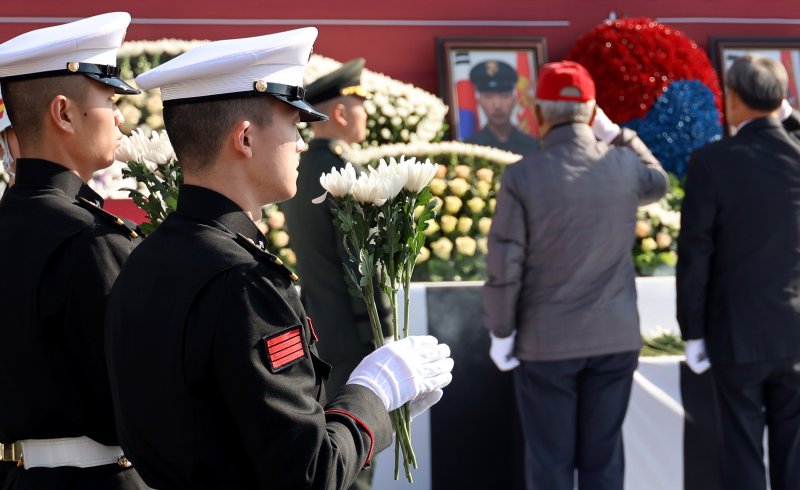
pixel 216 380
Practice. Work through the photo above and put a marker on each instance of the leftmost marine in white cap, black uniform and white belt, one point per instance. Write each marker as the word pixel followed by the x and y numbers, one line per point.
pixel 59 86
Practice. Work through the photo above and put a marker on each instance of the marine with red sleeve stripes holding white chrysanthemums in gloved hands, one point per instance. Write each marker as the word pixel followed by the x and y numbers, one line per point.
pixel 220 384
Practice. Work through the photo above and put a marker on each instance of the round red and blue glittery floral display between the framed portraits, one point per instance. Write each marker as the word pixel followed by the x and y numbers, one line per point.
pixel 635 63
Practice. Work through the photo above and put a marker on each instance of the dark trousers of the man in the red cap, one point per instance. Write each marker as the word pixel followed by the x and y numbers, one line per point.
pixel 572 413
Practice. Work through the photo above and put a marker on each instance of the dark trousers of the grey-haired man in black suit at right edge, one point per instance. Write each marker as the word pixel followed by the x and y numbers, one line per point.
pixel 752 397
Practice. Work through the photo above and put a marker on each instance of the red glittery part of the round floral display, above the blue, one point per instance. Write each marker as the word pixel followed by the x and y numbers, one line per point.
pixel 633 61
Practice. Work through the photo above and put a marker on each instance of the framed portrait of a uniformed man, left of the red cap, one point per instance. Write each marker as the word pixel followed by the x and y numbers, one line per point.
pixel 489 84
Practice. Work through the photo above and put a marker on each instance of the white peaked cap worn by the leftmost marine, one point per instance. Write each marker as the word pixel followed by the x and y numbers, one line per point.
pixel 87 47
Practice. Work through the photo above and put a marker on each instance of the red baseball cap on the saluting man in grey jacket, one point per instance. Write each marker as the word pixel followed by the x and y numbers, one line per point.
pixel 565 80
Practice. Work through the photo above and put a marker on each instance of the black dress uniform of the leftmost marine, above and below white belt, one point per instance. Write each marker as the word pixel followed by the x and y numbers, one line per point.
pixel 63 253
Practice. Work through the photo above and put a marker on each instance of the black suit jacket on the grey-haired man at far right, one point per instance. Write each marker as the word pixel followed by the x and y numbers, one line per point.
pixel 738 273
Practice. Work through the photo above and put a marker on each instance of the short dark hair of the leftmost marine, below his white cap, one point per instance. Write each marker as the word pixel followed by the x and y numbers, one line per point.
pixel 27 100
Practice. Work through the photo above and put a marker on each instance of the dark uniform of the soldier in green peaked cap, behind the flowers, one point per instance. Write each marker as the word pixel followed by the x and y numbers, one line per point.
pixel 340 319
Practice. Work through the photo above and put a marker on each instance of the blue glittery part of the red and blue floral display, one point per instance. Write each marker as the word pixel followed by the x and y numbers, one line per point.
pixel 682 119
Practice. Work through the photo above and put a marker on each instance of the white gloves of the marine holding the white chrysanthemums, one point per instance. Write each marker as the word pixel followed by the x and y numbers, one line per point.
pixel 406 370
